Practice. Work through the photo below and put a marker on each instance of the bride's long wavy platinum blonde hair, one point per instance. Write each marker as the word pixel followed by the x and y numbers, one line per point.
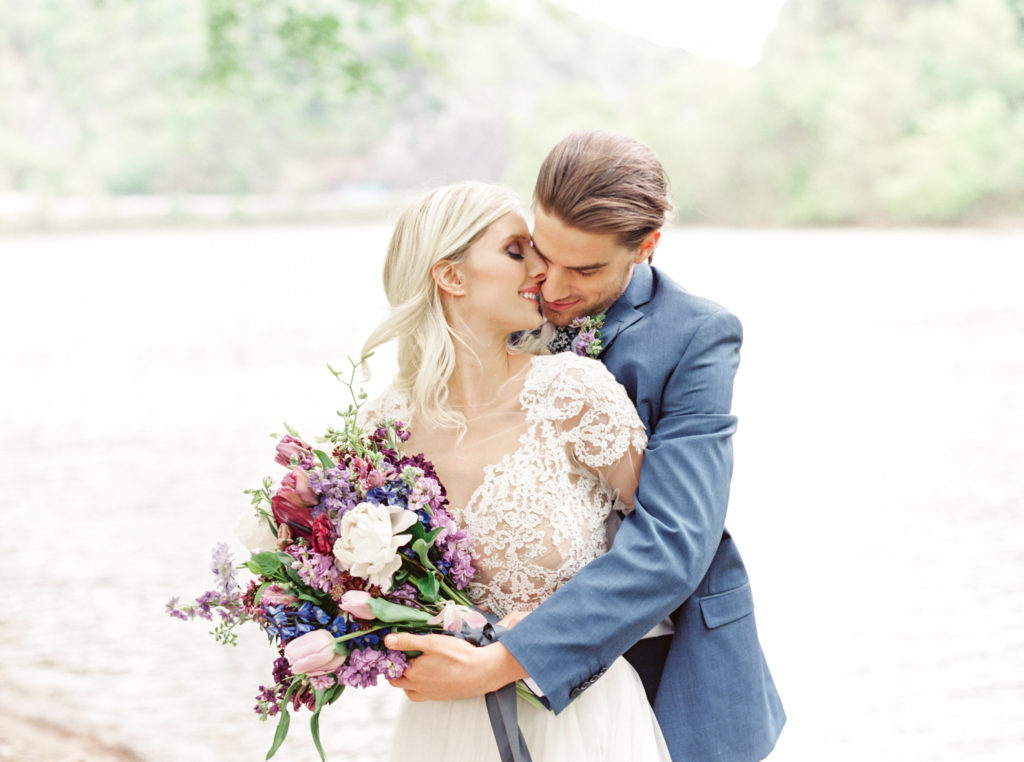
pixel 441 227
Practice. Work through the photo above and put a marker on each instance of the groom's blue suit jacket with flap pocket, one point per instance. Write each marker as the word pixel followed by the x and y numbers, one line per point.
pixel 677 356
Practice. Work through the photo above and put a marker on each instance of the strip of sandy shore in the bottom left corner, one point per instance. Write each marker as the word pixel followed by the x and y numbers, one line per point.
pixel 26 740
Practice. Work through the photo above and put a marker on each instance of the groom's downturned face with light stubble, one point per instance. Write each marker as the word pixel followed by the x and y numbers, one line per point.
pixel 586 272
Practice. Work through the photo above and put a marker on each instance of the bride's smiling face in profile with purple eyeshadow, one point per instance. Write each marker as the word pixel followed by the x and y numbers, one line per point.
pixel 501 276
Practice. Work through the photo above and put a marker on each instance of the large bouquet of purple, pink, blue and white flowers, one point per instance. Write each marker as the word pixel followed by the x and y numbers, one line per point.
pixel 355 542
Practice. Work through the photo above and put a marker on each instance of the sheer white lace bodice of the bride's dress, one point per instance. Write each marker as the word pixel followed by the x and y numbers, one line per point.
pixel 540 514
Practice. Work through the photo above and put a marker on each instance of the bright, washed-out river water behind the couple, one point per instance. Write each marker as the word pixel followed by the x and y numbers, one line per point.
pixel 878 496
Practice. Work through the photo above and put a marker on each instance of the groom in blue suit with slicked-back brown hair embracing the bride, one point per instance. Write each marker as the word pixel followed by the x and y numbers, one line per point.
pixel 672 594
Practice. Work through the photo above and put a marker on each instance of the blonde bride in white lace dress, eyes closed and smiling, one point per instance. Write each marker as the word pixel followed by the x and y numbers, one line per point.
pixel 536 452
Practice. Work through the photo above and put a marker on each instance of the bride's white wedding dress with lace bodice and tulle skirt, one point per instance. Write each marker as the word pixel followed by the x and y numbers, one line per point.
pixel 539 516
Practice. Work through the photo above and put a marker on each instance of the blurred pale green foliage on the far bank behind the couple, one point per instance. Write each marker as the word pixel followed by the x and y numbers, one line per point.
pixel 880 112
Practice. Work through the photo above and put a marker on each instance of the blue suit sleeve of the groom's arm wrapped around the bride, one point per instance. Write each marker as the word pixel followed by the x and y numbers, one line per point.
pixel 665 547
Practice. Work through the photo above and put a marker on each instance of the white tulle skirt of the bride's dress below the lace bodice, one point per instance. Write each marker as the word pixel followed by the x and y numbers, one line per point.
pixel 612 722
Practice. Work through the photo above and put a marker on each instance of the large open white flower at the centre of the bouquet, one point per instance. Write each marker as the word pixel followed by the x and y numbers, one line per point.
pixel 368 542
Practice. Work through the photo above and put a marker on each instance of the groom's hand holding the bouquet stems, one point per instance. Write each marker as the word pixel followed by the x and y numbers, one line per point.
pixel 449 668
